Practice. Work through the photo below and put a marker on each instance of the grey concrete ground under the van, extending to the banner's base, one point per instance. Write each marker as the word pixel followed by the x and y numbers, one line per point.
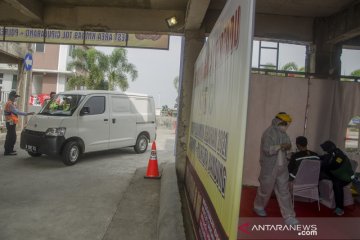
pixel 98 198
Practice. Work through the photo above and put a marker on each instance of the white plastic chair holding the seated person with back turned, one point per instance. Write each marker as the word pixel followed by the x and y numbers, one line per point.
pixel 306 183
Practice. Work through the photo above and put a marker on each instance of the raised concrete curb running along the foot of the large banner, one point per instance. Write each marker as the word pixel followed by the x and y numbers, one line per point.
pixel 170 220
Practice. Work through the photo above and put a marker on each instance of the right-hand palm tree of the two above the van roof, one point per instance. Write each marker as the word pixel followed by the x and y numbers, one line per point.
pixel 119 69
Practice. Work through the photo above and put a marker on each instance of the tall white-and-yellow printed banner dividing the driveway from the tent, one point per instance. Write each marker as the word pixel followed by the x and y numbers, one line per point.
pixel 219 108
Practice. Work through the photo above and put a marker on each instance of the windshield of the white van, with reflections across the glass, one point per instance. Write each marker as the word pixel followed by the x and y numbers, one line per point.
pixel 61 105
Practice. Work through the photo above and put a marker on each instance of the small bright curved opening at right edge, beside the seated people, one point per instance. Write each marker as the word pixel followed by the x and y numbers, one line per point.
pixel 352 135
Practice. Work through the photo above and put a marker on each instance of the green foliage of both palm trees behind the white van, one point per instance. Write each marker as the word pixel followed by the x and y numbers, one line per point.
pixel 95 70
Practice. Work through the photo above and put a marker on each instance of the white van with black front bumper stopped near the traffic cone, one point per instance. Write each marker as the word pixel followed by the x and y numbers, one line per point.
pixel 77 122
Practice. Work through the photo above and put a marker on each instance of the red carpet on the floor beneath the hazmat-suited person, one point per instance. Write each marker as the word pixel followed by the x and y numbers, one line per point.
pixel 302 209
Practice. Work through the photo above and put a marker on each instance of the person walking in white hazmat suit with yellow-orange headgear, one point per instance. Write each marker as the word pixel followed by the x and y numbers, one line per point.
pixel 274 173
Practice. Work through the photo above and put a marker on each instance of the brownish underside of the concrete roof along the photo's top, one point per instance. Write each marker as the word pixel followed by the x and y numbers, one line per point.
pixel 288 16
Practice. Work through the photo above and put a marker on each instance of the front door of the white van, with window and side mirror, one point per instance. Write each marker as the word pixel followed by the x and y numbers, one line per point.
pixel 94 126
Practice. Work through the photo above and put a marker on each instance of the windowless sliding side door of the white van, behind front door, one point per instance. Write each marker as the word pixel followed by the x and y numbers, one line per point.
pixel 122 122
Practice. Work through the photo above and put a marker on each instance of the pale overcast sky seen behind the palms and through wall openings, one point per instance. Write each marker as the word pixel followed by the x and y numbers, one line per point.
pixel 158 68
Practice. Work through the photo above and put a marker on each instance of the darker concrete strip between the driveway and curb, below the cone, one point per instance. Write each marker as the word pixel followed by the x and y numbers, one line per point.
pixel 136 214
